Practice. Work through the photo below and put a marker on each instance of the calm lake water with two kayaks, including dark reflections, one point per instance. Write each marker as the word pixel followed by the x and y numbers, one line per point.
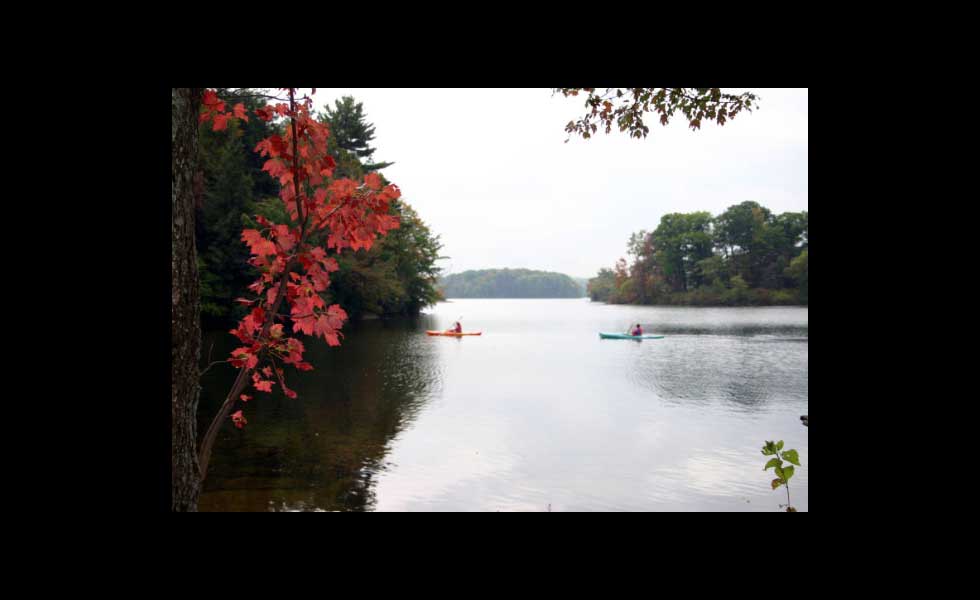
pixel 537 411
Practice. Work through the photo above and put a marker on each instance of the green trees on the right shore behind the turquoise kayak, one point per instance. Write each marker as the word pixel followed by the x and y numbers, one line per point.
pixel 746 256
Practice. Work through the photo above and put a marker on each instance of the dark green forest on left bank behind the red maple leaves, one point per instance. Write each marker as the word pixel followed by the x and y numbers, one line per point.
pixel 396 276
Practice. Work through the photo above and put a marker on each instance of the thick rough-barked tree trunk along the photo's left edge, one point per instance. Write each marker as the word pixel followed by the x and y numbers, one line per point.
pixel 185 328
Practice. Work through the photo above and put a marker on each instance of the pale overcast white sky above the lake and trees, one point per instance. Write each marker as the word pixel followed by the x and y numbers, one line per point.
pixel 489 171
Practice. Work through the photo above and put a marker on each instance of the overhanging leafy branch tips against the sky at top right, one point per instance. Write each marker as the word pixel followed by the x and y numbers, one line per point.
pixel 625 107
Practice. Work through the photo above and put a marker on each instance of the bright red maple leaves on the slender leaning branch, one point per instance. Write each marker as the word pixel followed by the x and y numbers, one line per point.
pixel 325 216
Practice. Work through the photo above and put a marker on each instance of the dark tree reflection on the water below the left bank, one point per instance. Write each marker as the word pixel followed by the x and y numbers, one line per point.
pixel 322 450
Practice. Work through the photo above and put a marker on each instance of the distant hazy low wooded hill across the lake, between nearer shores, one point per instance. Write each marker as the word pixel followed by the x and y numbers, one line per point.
pixel 509 283
